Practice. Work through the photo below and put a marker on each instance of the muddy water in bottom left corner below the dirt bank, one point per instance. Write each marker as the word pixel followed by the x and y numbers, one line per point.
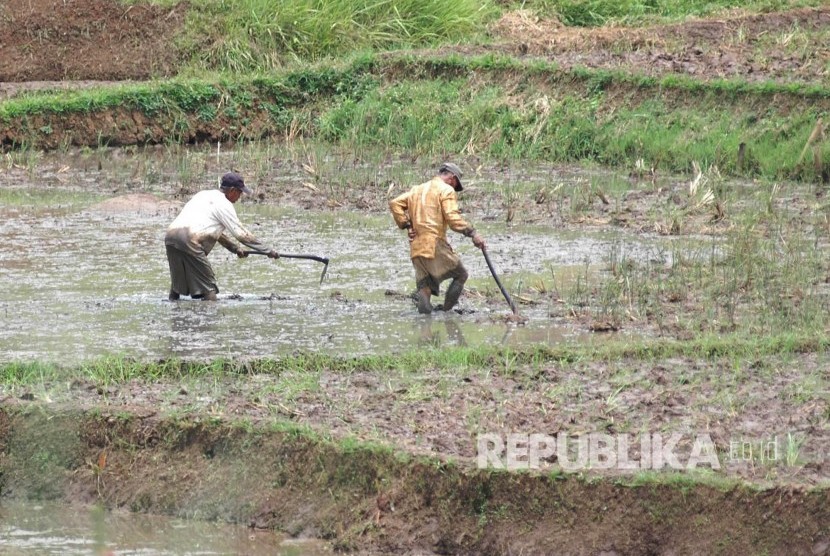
pixel 29 529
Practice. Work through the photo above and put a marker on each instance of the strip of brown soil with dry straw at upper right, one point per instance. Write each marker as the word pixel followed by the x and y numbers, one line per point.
pixel 739 46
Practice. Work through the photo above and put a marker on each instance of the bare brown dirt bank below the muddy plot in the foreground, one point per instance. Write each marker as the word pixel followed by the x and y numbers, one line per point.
pixel 371 499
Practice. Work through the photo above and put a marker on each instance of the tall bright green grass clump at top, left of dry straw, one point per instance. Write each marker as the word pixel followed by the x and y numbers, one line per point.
pixel 256 35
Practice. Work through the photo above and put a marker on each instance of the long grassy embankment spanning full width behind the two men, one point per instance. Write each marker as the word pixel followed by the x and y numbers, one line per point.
pixel 493 107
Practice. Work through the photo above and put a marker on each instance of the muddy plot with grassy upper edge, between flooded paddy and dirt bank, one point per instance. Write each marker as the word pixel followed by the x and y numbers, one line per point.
pixel 710 384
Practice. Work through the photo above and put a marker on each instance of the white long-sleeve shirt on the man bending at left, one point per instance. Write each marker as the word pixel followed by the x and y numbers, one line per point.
pixel 204 220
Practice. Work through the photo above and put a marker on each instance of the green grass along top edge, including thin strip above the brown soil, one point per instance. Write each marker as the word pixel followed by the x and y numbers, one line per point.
pixel 257 35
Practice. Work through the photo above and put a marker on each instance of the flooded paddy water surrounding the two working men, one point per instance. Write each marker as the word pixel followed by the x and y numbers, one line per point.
pixel 84 275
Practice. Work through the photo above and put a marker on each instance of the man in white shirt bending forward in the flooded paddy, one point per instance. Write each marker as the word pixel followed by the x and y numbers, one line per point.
pixel 207 218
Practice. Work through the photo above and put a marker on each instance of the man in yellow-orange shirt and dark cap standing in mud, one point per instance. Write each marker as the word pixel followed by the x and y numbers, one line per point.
pixel 425 212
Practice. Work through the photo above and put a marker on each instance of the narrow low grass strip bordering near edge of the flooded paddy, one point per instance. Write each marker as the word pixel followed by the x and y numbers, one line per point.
pixel 120 370
